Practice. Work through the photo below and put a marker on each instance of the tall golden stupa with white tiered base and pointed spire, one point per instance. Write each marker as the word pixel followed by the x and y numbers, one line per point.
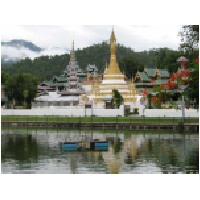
pixel 112 79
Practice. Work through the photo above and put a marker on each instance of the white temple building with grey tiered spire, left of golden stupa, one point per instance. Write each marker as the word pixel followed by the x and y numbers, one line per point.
pixel 70 94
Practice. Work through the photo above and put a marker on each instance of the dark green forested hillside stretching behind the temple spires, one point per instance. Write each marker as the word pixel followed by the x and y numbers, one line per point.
pixel 45 67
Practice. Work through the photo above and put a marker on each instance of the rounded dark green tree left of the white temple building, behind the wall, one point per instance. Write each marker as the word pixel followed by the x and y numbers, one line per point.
pixel 21 87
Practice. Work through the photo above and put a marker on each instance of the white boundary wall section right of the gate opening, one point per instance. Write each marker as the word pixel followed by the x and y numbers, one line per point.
pixel 168 112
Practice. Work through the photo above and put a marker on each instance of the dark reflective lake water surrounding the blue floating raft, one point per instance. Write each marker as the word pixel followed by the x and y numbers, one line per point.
pixel 41 152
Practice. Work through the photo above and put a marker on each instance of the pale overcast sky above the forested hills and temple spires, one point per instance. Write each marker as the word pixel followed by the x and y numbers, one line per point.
pixel 57 39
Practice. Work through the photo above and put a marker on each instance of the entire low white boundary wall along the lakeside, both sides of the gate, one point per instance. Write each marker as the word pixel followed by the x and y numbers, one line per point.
pixel 100 112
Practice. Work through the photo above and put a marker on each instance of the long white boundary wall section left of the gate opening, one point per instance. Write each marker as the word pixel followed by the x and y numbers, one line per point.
pixel 65 112
